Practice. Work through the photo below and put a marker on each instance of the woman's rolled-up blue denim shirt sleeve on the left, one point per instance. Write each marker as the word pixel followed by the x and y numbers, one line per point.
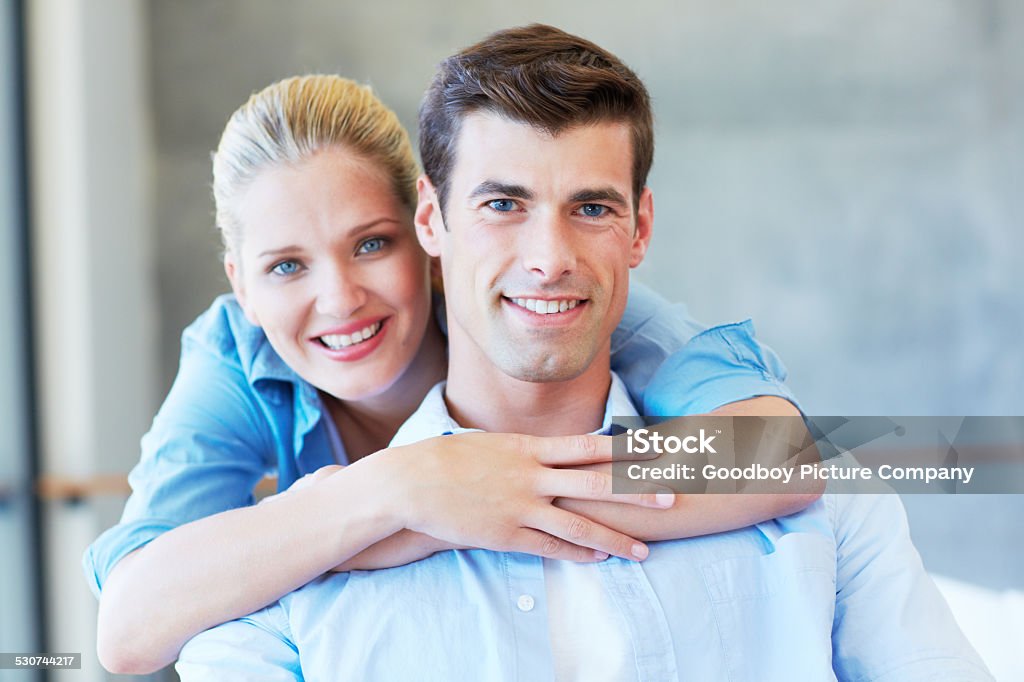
pixel 206 451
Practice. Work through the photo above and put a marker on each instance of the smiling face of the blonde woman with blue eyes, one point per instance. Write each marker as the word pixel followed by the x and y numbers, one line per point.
pixel 330 268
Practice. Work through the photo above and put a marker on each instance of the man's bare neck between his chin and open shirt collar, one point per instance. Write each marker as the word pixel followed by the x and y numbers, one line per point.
pixel 481 396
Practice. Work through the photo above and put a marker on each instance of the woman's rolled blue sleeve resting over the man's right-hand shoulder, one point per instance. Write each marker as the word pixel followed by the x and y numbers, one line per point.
pixel 718 366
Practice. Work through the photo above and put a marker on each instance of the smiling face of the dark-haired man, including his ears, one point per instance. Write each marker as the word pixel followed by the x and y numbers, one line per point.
pixel 541 235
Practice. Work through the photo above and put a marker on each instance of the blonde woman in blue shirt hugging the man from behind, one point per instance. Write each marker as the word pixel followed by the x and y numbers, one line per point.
pixel 327 347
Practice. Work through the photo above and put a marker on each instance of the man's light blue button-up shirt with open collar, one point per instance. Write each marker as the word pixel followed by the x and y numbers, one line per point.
pixel 835 592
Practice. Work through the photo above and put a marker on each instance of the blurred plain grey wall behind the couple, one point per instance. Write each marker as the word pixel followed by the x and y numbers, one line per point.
pixel 847 175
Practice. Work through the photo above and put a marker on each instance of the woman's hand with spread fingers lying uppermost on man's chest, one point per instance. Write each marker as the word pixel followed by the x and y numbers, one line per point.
pixel 495 491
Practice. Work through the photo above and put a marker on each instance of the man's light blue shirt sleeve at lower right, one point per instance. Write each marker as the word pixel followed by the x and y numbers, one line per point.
pixel 891 623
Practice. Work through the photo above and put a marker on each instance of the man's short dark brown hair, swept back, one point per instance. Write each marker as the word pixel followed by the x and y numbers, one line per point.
pixel 540 76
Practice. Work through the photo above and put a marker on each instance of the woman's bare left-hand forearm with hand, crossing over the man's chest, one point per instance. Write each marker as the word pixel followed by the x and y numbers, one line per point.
pixel 235 563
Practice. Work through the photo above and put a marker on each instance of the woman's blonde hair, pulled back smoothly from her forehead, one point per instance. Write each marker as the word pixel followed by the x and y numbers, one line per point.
pixel 293 119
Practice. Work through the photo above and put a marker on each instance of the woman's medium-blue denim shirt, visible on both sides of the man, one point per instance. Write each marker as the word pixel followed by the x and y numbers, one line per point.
pixel 237 412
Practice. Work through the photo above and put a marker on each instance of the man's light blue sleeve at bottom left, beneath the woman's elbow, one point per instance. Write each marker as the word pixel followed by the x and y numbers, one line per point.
pixel 257 648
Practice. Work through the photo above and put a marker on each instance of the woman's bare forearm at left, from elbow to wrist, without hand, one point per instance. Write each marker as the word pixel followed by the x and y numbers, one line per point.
pixel 230 565
